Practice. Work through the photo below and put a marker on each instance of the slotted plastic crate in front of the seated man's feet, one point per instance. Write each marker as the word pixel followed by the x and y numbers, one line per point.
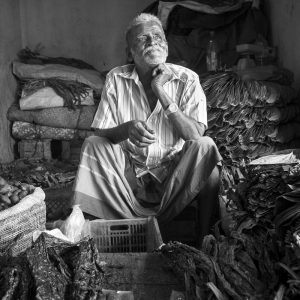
pixel 128 235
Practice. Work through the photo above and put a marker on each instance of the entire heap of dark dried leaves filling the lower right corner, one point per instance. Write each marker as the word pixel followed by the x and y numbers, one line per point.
pixel 259 258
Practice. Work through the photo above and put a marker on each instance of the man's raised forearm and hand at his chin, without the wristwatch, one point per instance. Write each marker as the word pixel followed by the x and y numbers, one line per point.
pixel 188 128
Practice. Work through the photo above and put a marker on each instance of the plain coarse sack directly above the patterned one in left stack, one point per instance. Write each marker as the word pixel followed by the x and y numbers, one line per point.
pixel 62 117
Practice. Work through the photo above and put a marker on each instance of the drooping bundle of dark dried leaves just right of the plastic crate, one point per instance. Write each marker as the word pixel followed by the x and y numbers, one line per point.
pixel 223 268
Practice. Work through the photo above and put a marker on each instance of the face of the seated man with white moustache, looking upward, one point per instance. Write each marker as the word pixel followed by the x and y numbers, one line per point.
pixel 148 44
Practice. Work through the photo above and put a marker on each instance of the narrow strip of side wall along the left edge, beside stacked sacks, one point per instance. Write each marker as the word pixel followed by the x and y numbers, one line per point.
pixel 10 43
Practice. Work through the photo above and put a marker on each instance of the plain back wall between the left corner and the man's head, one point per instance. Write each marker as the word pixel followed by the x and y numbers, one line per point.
pixel 90 30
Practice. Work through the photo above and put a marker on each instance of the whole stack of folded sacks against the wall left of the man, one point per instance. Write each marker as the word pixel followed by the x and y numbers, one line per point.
pixel 57 99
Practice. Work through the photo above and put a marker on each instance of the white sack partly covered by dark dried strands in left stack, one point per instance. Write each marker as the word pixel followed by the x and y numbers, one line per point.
pixel 46 98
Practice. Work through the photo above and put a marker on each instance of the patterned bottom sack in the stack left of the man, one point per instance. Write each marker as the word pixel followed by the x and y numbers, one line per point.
pixel 28 131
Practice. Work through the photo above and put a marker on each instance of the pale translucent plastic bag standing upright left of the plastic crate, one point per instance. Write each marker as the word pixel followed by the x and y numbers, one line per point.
pixel 73 226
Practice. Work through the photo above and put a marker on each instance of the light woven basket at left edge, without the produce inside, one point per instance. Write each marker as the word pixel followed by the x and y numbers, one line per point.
pixel 18 223
